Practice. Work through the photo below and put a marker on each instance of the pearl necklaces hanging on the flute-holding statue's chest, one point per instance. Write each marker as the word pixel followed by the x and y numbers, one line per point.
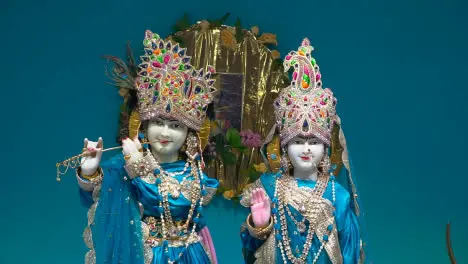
pixel 169 229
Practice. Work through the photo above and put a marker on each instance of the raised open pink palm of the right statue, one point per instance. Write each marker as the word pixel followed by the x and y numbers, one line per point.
pixel 260 208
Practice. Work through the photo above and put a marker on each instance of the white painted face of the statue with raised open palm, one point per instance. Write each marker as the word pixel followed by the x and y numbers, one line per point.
pixel 305 153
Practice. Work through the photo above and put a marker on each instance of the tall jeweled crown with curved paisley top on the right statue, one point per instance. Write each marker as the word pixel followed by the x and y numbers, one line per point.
pixel 304 107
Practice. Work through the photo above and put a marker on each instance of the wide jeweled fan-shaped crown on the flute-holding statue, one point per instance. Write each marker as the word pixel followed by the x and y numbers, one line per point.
pixel 168 86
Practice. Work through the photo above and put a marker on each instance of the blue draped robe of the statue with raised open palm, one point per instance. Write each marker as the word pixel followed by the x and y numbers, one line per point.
pixel 346 223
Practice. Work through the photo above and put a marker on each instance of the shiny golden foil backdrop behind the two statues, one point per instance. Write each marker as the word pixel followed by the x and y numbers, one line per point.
pixel 263 78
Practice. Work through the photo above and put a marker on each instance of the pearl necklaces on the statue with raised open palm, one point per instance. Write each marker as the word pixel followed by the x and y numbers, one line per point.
pixel 280 205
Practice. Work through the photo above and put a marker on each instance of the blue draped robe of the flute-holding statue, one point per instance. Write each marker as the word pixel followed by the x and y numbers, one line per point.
pixel 116 226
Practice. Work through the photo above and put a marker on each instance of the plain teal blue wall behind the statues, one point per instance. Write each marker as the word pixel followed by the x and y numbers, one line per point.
pixel 397 67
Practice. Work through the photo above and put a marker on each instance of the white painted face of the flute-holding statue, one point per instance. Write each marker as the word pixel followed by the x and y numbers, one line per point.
pixel 166 136
